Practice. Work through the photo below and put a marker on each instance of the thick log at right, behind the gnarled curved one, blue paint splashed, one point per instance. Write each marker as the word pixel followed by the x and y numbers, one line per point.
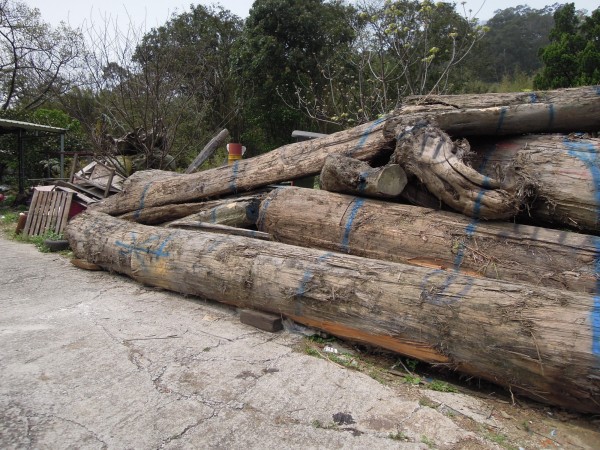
pixel 564 170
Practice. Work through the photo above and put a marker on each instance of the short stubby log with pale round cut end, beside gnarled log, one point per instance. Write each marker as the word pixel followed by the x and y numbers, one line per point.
pixel 351 176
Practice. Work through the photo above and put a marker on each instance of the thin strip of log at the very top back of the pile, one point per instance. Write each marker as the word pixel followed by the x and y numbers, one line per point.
pixel 570 95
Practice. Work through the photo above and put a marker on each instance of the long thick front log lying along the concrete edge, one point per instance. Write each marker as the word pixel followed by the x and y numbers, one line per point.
pixel 538 341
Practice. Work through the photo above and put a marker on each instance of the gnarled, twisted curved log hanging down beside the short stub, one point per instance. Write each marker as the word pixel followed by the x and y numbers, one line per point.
pixel 437 162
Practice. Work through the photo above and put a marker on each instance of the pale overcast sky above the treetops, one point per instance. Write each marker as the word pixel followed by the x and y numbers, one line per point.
pixel 156 12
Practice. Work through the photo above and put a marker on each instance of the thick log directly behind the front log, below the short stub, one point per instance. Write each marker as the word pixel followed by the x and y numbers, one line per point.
pixel 414 235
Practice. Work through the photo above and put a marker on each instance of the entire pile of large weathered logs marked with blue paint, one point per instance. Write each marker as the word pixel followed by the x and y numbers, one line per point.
pixel 483 277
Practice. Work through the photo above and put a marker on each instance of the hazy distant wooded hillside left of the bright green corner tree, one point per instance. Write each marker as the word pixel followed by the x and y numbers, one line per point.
pixel 512 43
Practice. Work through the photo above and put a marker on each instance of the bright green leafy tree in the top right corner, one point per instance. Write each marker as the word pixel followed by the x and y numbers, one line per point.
pixel 572 58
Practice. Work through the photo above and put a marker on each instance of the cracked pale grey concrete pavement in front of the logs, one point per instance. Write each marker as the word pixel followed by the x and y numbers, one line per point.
pixel 94 360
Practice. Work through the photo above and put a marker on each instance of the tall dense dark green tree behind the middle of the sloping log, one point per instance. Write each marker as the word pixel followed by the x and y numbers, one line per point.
pixel 279 57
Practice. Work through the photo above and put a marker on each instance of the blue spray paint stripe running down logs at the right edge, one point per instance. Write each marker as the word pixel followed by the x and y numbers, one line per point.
pixel 586 153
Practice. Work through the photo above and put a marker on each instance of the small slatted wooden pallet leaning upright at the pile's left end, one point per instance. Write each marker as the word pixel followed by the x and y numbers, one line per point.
pixel 49 211
